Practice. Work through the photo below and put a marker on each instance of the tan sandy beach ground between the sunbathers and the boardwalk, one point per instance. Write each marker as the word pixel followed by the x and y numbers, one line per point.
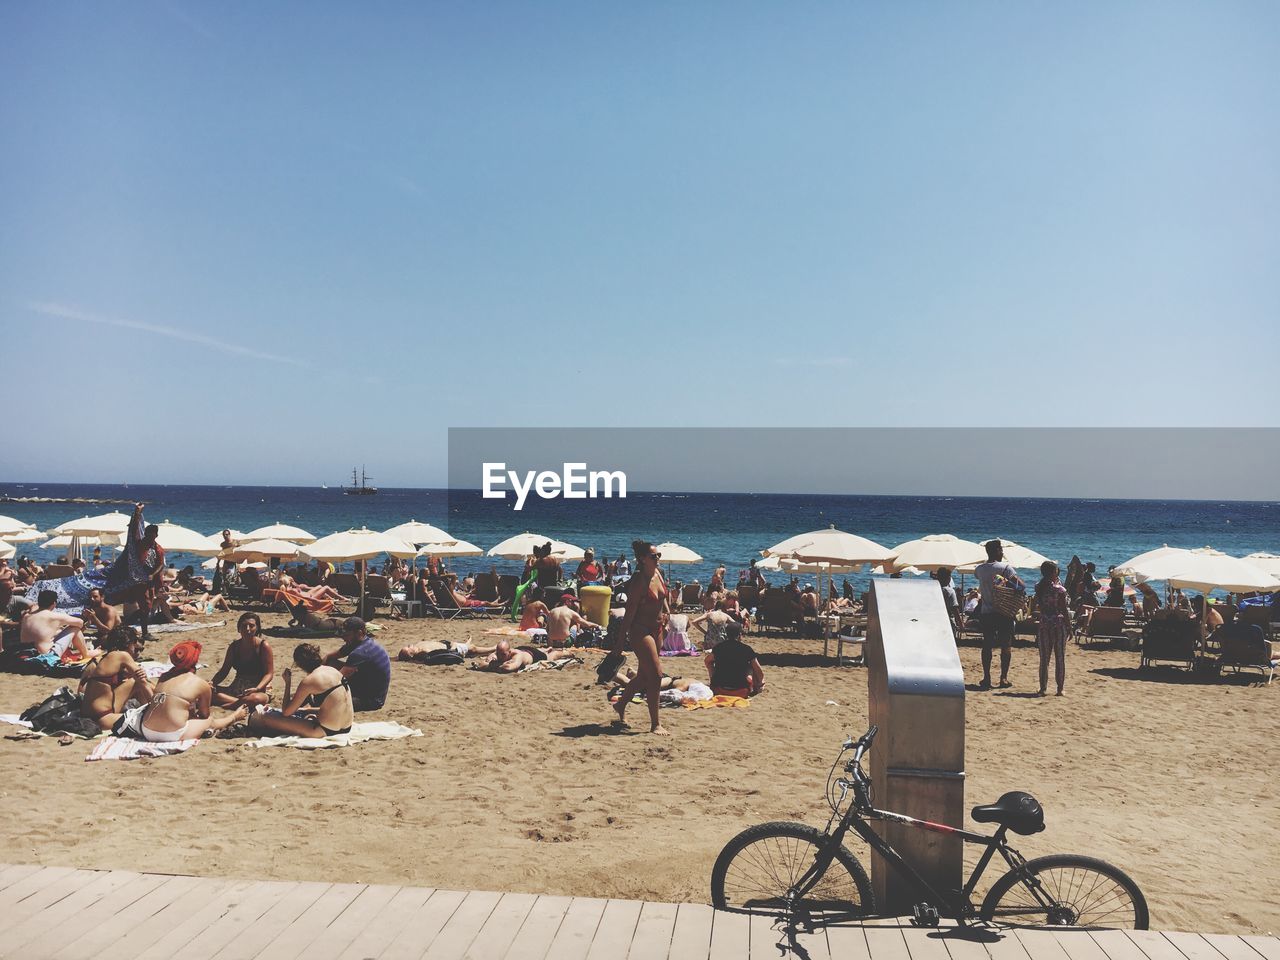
pixel 519 783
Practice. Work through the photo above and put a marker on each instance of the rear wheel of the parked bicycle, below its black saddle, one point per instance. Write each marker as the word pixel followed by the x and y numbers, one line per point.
pixel 1067 892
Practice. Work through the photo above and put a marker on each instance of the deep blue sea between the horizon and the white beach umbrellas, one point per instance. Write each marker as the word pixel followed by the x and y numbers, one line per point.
pixel 724 528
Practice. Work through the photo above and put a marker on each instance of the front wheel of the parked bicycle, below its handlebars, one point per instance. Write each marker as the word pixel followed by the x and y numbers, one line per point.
pixel 758 868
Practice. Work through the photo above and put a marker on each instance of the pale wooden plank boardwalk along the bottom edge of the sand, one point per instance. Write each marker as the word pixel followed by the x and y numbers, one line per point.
pixel 65 915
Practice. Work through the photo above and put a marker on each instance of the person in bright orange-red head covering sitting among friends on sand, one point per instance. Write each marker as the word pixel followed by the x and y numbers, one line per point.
pixel 181 706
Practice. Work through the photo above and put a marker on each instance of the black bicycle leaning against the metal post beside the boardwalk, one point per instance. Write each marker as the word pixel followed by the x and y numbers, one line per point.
pixel 802 872
